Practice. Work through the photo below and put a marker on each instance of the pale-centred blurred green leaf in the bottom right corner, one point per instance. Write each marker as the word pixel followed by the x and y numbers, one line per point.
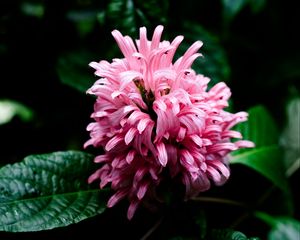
pixel 283 228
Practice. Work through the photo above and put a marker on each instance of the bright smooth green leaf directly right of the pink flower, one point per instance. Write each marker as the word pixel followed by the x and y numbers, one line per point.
pixel 266 157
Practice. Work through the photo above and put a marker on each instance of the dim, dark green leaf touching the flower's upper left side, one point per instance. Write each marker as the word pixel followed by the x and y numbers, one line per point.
pixel 74 71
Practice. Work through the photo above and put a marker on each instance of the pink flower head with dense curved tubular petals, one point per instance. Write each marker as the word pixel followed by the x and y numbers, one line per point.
pixel 154 117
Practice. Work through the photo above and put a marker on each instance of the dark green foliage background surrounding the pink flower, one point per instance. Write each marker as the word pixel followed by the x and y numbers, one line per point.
pixel 45 49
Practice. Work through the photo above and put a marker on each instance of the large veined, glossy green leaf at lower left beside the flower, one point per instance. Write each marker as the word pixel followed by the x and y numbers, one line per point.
pixel 48 191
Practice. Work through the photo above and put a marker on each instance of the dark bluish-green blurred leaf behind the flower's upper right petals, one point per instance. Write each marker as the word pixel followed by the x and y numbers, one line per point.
pixel 214 63
